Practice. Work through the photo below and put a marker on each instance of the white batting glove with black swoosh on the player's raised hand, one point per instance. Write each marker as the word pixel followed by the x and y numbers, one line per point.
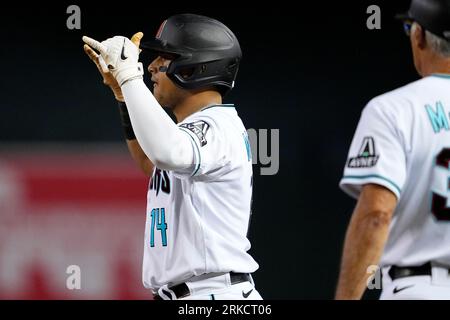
pixel 121 57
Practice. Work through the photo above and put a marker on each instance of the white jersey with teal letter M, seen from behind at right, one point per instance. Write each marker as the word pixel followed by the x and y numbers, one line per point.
pixel 403 143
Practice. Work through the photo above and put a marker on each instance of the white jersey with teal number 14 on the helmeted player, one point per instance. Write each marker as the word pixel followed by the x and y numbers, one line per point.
pixel 197 219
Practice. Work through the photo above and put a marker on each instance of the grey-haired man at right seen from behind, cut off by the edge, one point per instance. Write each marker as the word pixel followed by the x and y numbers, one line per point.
pixel 398 169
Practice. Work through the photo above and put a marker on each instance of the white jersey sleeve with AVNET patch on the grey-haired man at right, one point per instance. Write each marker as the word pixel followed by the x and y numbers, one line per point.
pixel 377 154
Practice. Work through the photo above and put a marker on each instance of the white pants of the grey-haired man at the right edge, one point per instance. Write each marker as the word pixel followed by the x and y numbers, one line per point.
pixel 434 287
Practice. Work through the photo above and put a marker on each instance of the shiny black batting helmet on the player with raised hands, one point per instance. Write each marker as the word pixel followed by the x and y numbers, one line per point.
pixel 206 52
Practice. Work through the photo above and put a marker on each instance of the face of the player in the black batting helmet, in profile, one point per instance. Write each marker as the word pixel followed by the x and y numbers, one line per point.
pixel 164 90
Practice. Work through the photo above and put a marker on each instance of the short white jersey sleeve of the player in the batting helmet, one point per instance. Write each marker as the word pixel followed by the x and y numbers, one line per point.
pixel 210 147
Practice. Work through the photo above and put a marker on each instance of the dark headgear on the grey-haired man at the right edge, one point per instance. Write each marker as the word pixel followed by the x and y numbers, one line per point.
pixel 432 15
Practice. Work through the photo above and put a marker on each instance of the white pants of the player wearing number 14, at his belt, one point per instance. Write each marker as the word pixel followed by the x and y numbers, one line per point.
pixel 215 288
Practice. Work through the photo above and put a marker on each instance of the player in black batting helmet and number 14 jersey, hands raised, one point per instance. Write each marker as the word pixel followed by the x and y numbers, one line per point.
pixel 199 195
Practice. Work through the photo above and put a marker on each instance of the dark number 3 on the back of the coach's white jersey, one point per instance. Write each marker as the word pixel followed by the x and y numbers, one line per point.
pixel 439 206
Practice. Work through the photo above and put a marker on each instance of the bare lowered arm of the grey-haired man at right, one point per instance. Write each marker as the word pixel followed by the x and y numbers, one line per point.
pixel 366 237
